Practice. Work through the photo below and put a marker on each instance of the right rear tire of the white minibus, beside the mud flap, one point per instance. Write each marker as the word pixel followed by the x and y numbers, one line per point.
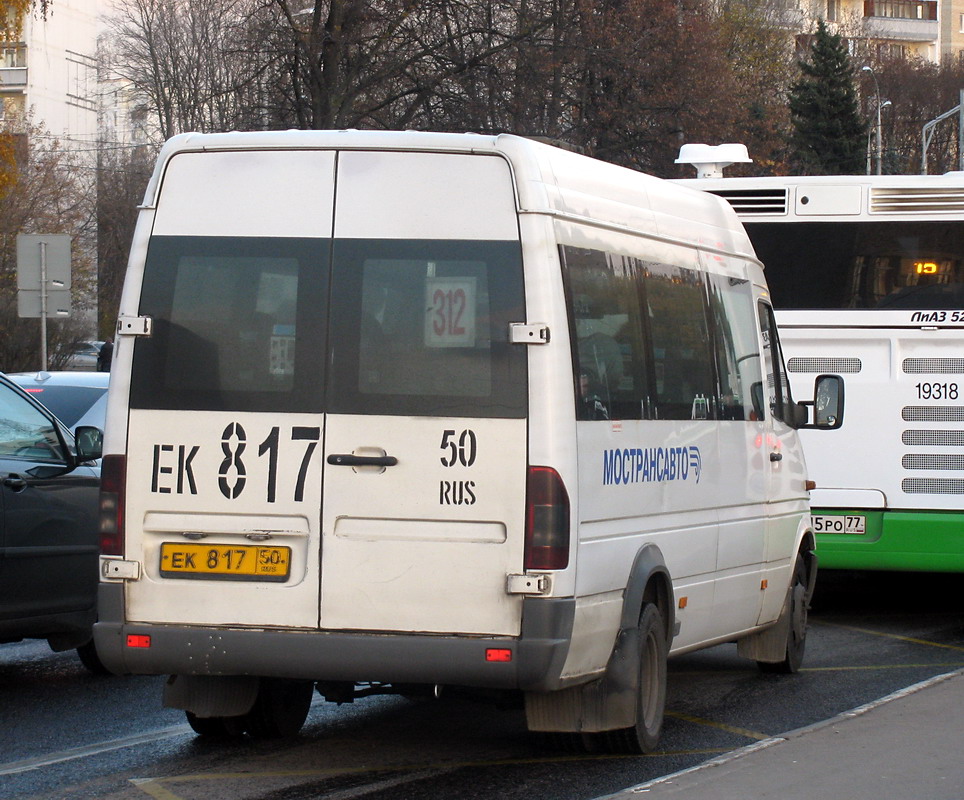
pixel 651 695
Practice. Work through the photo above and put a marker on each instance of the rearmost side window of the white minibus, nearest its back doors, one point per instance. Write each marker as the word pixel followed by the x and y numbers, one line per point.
pixel 611 369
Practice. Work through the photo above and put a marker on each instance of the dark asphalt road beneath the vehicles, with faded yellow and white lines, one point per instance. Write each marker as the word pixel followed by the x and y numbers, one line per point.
pixel 67 734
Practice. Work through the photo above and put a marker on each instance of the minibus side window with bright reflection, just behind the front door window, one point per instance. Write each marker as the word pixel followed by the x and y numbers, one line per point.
pixel 737 349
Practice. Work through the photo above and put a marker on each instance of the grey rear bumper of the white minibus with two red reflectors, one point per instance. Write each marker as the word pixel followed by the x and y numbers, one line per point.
pixel 536 663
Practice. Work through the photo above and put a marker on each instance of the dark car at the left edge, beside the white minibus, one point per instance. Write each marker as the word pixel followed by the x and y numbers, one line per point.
pixel 49 542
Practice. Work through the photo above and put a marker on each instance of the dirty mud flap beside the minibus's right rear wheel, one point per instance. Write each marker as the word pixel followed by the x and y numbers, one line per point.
pixel 605 704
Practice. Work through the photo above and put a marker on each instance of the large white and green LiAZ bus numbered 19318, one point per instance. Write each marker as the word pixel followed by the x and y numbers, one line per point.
pixel 867 276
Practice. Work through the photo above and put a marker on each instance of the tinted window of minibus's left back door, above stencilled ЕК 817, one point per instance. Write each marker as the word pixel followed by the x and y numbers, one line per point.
pixel 239 324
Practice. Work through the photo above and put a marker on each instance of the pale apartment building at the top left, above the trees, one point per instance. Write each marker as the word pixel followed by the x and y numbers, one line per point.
pixel 52 71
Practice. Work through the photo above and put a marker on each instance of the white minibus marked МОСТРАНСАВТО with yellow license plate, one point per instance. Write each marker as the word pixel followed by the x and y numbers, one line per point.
pixel 409 409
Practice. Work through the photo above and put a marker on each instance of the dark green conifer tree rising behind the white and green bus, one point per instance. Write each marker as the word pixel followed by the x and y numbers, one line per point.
pixel 829 137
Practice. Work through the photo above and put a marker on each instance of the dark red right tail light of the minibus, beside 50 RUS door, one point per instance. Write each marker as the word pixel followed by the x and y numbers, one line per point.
pixel 547 520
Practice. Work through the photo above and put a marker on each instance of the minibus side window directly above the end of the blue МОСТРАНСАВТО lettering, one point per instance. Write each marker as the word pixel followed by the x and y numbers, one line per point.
pixel 681 344
